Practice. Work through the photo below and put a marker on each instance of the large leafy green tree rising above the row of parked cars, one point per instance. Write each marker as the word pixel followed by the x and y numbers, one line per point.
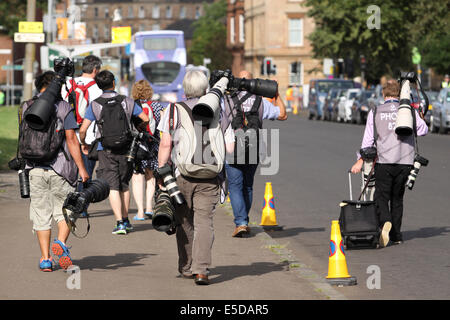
pixel 342 32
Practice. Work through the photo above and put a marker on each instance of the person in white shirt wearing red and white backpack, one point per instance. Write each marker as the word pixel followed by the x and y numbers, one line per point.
pixel 80 92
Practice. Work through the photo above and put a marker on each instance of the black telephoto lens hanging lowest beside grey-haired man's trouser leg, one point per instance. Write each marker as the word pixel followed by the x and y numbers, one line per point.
pixel 164 217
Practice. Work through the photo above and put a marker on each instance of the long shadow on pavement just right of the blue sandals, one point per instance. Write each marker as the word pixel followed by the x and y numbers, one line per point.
pixel 120 260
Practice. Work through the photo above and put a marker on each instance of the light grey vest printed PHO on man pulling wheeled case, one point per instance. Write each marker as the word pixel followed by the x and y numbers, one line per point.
pixel 392 148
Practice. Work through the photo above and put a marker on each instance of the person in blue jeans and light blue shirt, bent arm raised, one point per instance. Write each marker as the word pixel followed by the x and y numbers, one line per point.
pixel 246 111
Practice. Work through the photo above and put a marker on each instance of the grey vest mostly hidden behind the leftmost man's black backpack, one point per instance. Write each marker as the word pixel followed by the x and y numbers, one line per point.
pixel 63 164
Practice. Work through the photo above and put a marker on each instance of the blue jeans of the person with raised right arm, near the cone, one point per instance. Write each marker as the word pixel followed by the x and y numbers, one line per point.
pixel 240 186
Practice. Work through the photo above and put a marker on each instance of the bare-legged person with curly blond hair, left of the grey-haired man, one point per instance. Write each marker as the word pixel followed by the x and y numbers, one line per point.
pixel 143 177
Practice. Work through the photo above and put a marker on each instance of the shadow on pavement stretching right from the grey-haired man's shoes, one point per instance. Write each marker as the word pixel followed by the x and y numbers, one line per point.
pixel 227 273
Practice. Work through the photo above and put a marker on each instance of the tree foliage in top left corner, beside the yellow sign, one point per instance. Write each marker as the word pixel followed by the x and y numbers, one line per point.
pixel 13 11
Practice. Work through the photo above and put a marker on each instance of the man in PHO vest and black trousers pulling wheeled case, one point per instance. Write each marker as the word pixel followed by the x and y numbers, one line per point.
pixel 395 157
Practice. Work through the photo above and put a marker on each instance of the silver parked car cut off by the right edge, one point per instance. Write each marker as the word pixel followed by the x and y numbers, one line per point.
pixel 440 121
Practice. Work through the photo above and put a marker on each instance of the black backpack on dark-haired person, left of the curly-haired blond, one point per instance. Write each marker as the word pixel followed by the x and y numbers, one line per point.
pixel 114 125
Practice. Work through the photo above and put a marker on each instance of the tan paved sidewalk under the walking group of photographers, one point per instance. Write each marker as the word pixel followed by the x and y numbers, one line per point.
pixel 143 264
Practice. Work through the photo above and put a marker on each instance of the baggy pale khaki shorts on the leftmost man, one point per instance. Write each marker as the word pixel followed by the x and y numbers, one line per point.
pixel 48 191
